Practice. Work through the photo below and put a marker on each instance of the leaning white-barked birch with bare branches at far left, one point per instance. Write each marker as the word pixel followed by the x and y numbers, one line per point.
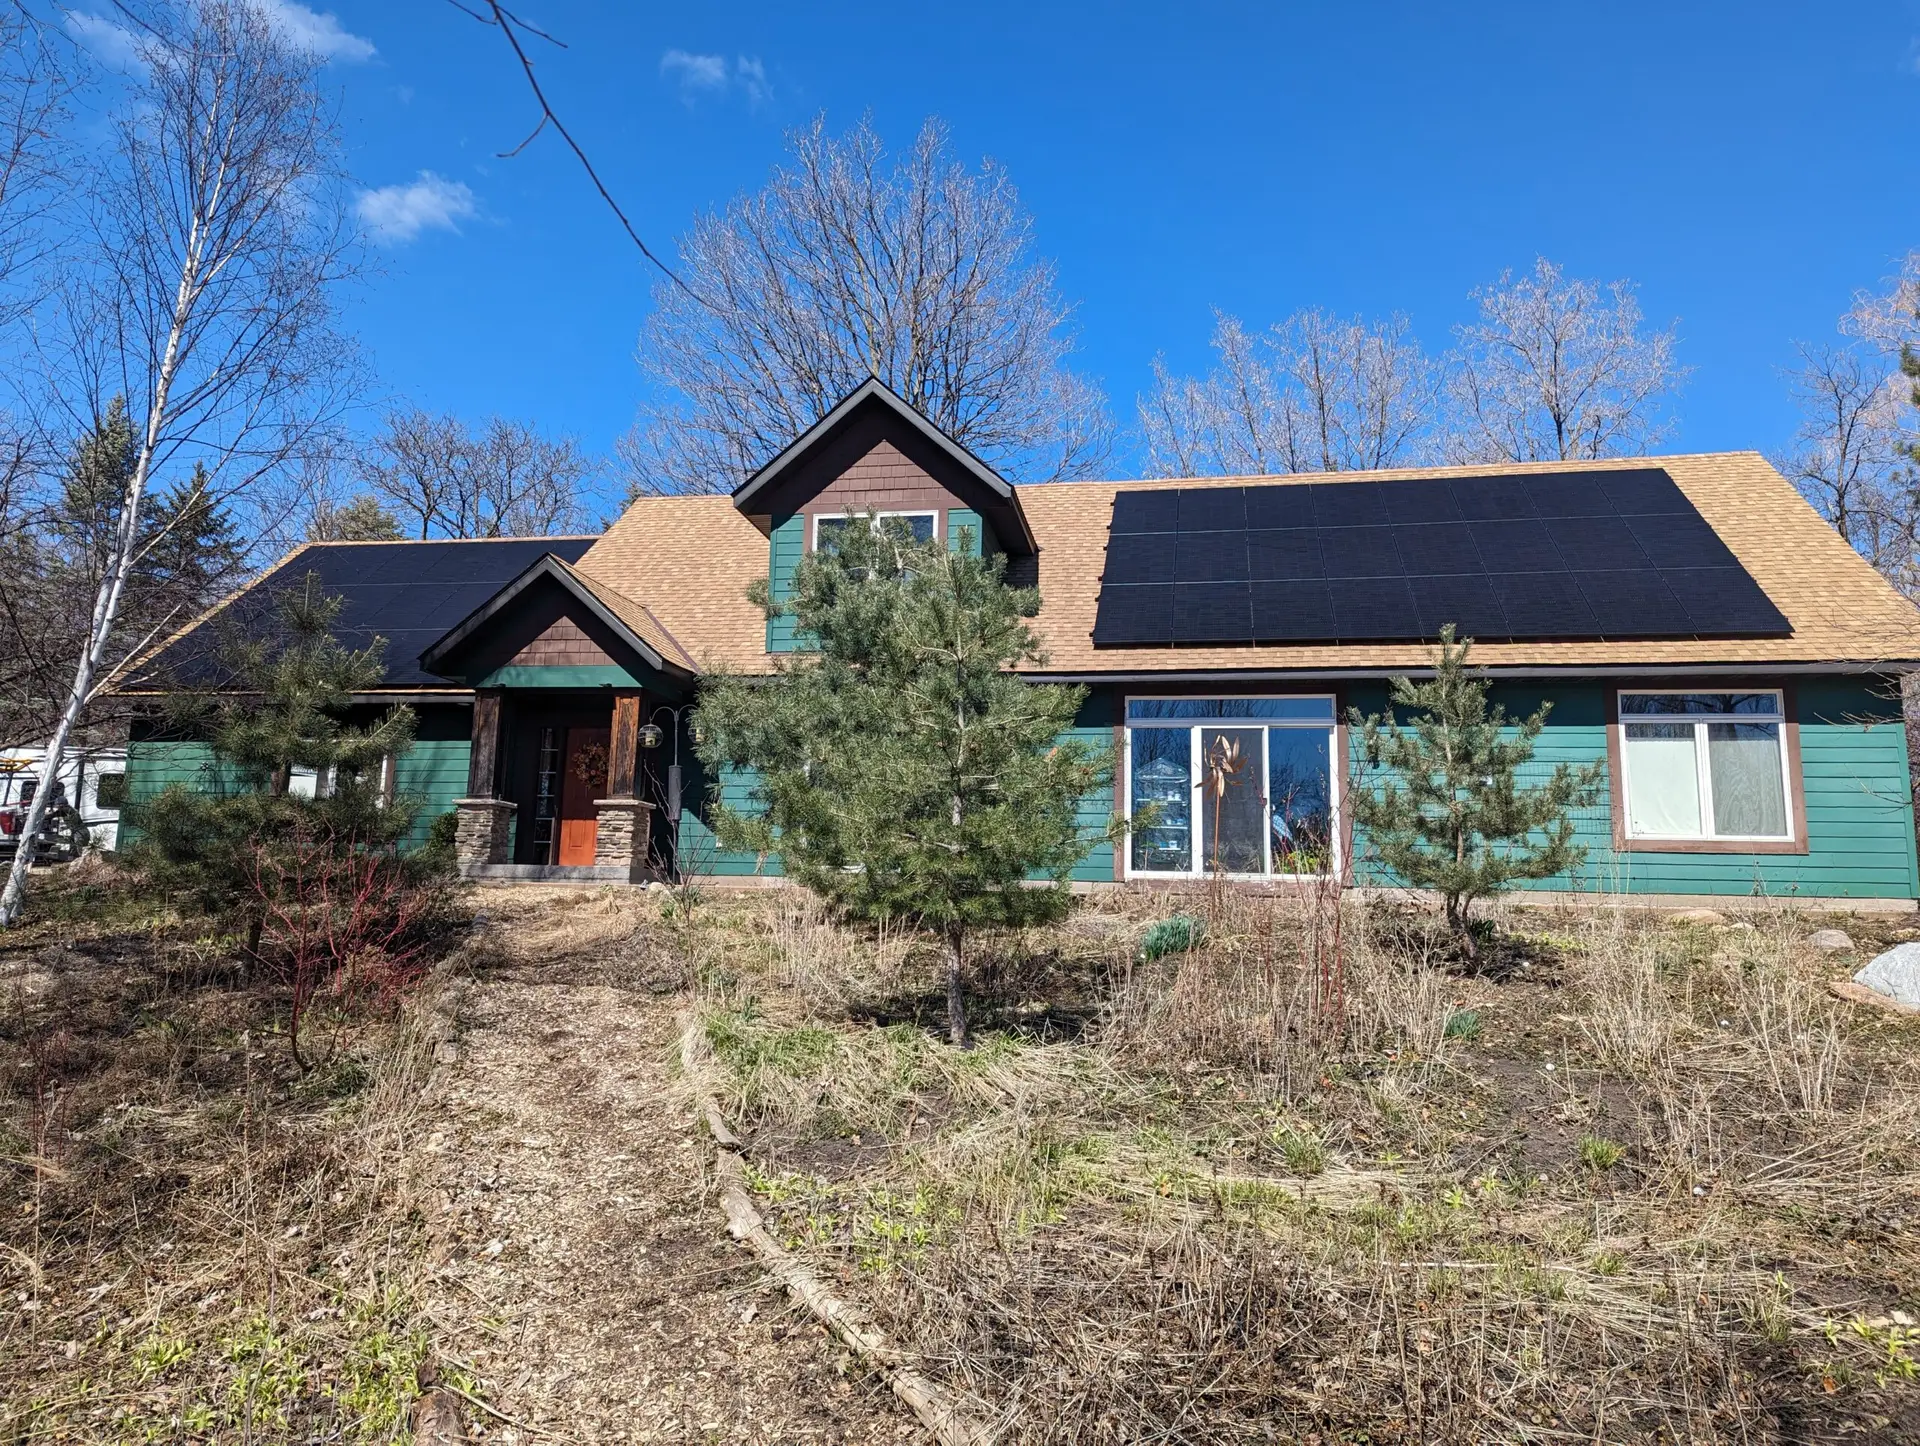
pixel 218 237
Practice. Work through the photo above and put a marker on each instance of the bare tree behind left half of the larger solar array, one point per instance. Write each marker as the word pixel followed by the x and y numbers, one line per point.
pixel 1312 395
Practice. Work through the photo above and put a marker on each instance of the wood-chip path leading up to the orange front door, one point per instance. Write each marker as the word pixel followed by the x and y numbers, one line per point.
pixel 581 1265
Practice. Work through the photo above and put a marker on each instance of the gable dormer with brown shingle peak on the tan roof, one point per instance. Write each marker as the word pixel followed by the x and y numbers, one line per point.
pixel 876 456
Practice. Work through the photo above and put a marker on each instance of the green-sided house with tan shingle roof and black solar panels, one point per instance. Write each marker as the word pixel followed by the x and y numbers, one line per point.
pixel 1691 619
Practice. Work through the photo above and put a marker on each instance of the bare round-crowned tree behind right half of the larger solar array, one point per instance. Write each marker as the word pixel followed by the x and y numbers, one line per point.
pixel 1558 370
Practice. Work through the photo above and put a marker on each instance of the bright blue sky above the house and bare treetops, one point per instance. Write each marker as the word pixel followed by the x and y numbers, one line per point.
pixel 1748 166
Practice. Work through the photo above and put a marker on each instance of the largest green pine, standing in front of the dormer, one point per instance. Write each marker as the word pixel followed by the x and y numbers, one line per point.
pixel 905 773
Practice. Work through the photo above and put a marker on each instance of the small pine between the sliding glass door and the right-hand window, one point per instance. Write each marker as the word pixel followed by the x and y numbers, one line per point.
pixel 1451 815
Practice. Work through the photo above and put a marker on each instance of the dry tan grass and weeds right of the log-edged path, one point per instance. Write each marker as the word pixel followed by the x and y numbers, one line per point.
pixel 1648 1186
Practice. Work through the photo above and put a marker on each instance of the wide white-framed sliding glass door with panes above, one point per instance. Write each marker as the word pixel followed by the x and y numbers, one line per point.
pixel 1237 784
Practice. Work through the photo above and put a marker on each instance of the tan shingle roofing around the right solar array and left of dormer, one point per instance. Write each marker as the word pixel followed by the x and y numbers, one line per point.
pixel 692 560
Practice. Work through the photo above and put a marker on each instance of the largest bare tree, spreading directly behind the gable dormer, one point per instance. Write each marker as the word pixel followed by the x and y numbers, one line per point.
pixel 850 264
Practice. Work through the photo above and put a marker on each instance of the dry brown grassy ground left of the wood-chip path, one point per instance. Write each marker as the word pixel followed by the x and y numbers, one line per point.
pixel 201 1243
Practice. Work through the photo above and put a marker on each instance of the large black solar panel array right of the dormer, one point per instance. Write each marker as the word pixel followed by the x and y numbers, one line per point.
pixel 1614 554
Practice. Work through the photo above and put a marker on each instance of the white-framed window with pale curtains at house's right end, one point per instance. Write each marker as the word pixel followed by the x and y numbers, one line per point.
pixel 1706 767
